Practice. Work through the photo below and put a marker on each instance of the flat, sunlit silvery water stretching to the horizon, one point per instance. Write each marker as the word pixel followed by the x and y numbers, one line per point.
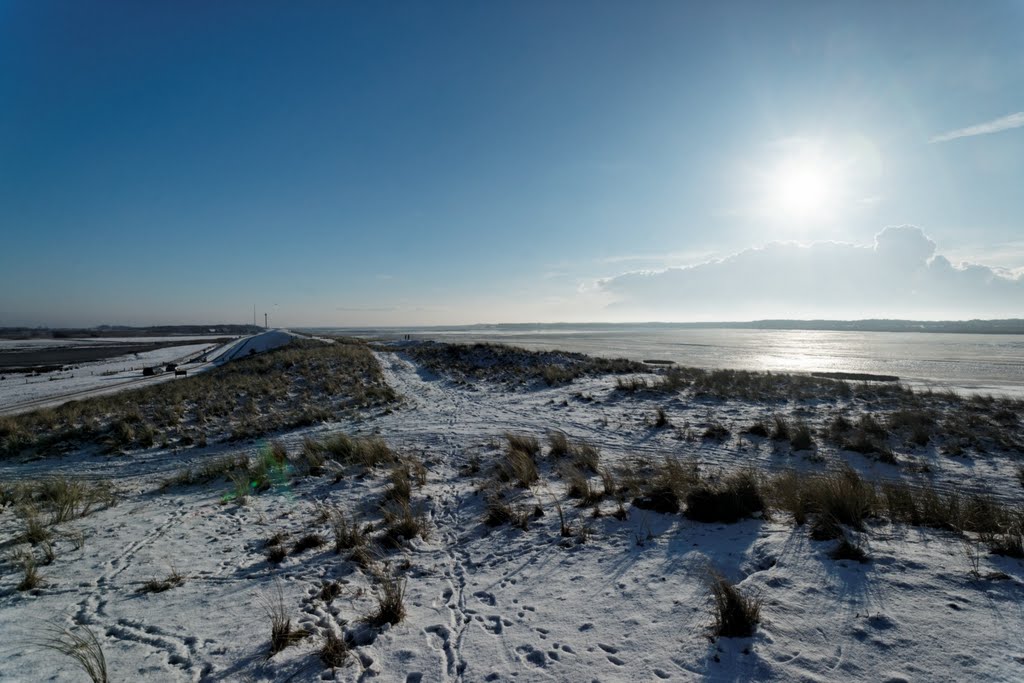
pixel 976 364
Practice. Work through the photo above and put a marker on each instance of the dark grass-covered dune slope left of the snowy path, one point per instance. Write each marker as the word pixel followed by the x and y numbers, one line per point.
pixel 300 385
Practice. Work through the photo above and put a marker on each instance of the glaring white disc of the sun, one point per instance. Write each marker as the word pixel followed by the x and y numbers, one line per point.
pixel 804 188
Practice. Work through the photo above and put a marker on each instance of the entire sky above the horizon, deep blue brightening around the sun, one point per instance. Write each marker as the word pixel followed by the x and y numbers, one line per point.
pixel 439 163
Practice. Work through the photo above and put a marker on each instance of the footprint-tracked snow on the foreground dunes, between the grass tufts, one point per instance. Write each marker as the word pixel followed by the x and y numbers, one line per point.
pixel 498 605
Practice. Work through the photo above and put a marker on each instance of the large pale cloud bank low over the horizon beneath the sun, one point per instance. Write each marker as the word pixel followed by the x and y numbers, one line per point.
pixel 900 276
